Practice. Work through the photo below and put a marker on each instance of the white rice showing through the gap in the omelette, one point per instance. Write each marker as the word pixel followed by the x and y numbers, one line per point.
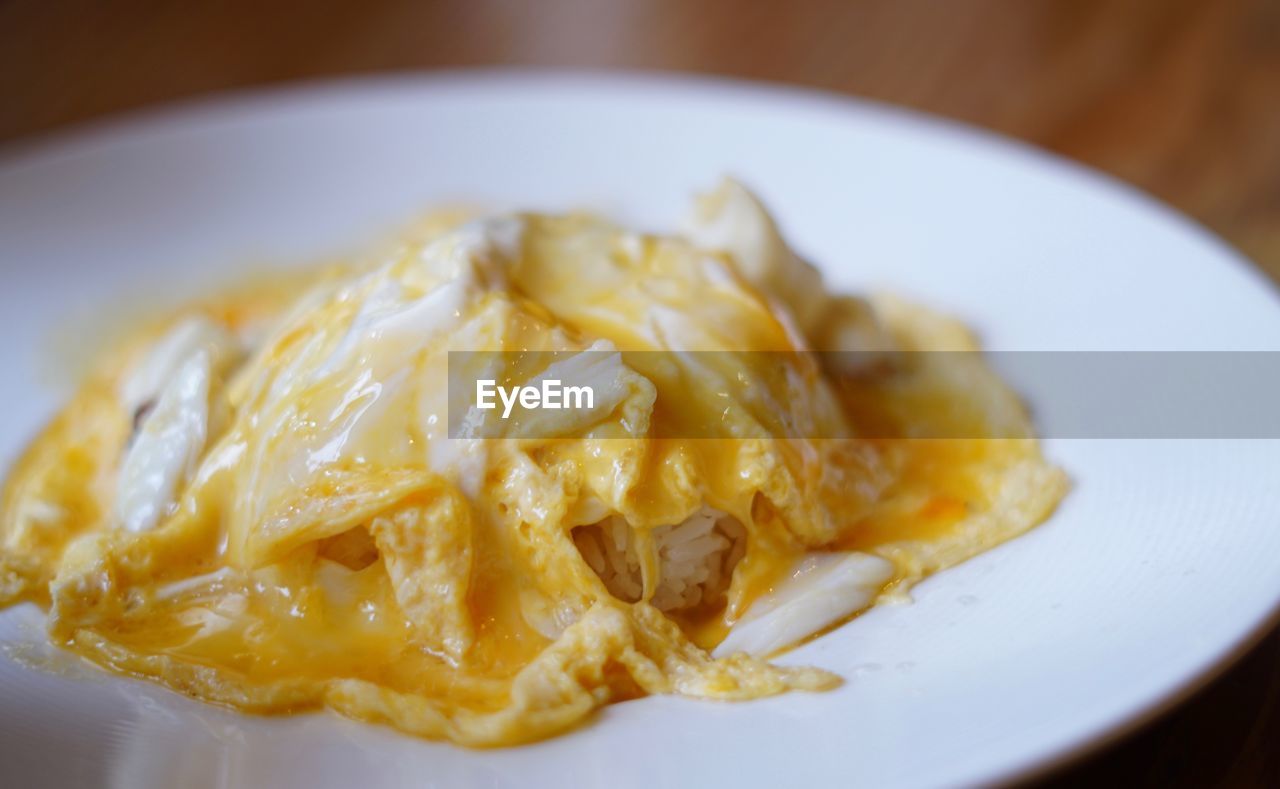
pixel 696 559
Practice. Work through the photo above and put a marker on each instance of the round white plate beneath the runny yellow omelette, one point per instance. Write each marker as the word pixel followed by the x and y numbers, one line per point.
pixel 1163 564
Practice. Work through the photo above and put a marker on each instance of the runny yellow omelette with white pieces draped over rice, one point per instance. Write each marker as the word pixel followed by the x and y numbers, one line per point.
pixel 272 500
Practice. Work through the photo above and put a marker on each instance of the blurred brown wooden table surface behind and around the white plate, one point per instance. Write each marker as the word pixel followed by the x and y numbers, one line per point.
pixel 1181 98
